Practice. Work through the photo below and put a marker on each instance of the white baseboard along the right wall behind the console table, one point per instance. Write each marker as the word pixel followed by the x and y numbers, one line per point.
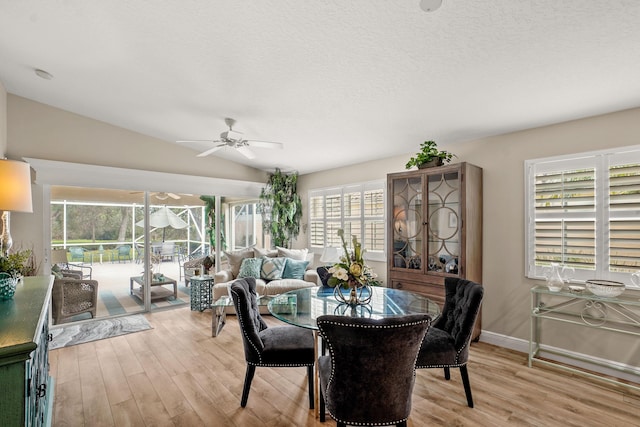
pixel 587 362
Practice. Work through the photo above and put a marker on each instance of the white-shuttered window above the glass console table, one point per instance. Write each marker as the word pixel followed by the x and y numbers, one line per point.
pixel 584 211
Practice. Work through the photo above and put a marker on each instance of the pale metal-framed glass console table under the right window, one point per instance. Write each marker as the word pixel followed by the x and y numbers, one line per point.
pixel 618 315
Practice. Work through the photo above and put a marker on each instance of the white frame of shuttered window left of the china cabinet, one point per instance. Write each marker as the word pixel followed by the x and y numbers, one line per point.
pixel 370 254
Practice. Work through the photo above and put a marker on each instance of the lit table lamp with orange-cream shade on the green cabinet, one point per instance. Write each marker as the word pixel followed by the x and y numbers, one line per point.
pixel 15 195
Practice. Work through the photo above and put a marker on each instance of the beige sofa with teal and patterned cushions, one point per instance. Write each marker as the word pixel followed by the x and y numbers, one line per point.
pixel 264 285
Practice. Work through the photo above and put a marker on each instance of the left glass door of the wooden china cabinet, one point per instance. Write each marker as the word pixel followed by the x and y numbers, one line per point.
pixel 407 223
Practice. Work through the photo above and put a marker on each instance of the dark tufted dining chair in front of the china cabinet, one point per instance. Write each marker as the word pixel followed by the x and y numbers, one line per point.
pixel 446 345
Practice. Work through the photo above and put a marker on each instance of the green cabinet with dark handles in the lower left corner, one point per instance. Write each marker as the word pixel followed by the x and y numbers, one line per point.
pixel 26 389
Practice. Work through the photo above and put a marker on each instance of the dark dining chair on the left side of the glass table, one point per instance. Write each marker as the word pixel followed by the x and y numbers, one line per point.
pixel 281 346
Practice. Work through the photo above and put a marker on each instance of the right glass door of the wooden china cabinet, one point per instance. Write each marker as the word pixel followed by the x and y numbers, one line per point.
pixel 443 217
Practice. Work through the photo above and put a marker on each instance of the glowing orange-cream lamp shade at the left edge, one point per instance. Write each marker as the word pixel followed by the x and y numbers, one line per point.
pixel 15 186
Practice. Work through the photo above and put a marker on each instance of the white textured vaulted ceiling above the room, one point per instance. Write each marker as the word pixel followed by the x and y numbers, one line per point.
pixel 337 82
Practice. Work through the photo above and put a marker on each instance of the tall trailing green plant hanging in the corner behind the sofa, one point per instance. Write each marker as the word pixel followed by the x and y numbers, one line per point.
pixel 281 208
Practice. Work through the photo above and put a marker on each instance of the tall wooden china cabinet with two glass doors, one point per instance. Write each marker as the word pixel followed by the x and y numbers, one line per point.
pixel 435 229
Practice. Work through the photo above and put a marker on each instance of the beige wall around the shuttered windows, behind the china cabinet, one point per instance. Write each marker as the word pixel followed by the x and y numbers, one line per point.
pixel 506 304
